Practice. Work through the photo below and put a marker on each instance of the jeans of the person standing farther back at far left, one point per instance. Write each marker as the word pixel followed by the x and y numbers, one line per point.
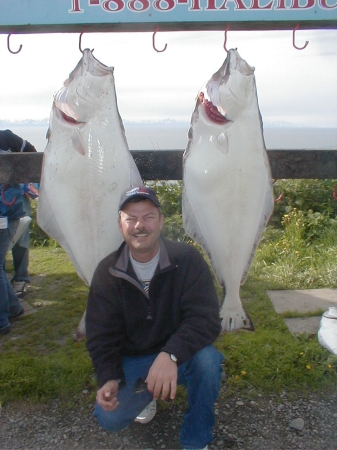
pixel 20 251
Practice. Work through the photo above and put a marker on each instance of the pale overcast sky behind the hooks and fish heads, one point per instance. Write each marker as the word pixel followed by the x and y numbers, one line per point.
pixel 294 87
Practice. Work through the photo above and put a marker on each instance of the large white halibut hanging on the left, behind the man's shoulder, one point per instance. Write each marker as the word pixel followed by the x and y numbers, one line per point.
pixel 87 165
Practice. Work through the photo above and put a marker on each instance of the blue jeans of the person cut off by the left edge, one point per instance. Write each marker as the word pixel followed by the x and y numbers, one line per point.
pixel 9 302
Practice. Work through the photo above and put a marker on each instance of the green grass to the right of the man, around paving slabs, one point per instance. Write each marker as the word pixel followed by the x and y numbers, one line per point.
pixel 271 358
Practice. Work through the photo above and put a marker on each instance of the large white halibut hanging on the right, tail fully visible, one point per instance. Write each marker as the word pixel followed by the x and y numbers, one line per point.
pixel 227 184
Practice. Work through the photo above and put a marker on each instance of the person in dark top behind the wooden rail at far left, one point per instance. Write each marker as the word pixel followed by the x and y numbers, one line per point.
pixel 20 251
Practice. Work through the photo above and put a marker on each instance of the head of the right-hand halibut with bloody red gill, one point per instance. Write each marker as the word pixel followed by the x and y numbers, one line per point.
pixel 230 90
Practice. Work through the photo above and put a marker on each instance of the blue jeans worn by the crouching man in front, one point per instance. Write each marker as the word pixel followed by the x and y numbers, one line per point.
pixel 202 377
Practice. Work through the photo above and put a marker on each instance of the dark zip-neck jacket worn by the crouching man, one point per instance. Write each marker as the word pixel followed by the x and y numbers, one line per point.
pixel 180 315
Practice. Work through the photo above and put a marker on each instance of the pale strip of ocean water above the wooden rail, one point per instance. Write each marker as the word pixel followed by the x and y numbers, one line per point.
pixel 174 137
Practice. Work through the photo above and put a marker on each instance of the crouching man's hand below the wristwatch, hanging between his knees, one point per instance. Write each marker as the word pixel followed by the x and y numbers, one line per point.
pixel 162 377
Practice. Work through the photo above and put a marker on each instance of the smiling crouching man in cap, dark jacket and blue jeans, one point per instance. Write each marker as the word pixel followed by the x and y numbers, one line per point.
pixel 152 317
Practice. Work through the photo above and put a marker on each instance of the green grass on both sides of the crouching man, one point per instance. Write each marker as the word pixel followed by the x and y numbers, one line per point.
pixel 40 359
